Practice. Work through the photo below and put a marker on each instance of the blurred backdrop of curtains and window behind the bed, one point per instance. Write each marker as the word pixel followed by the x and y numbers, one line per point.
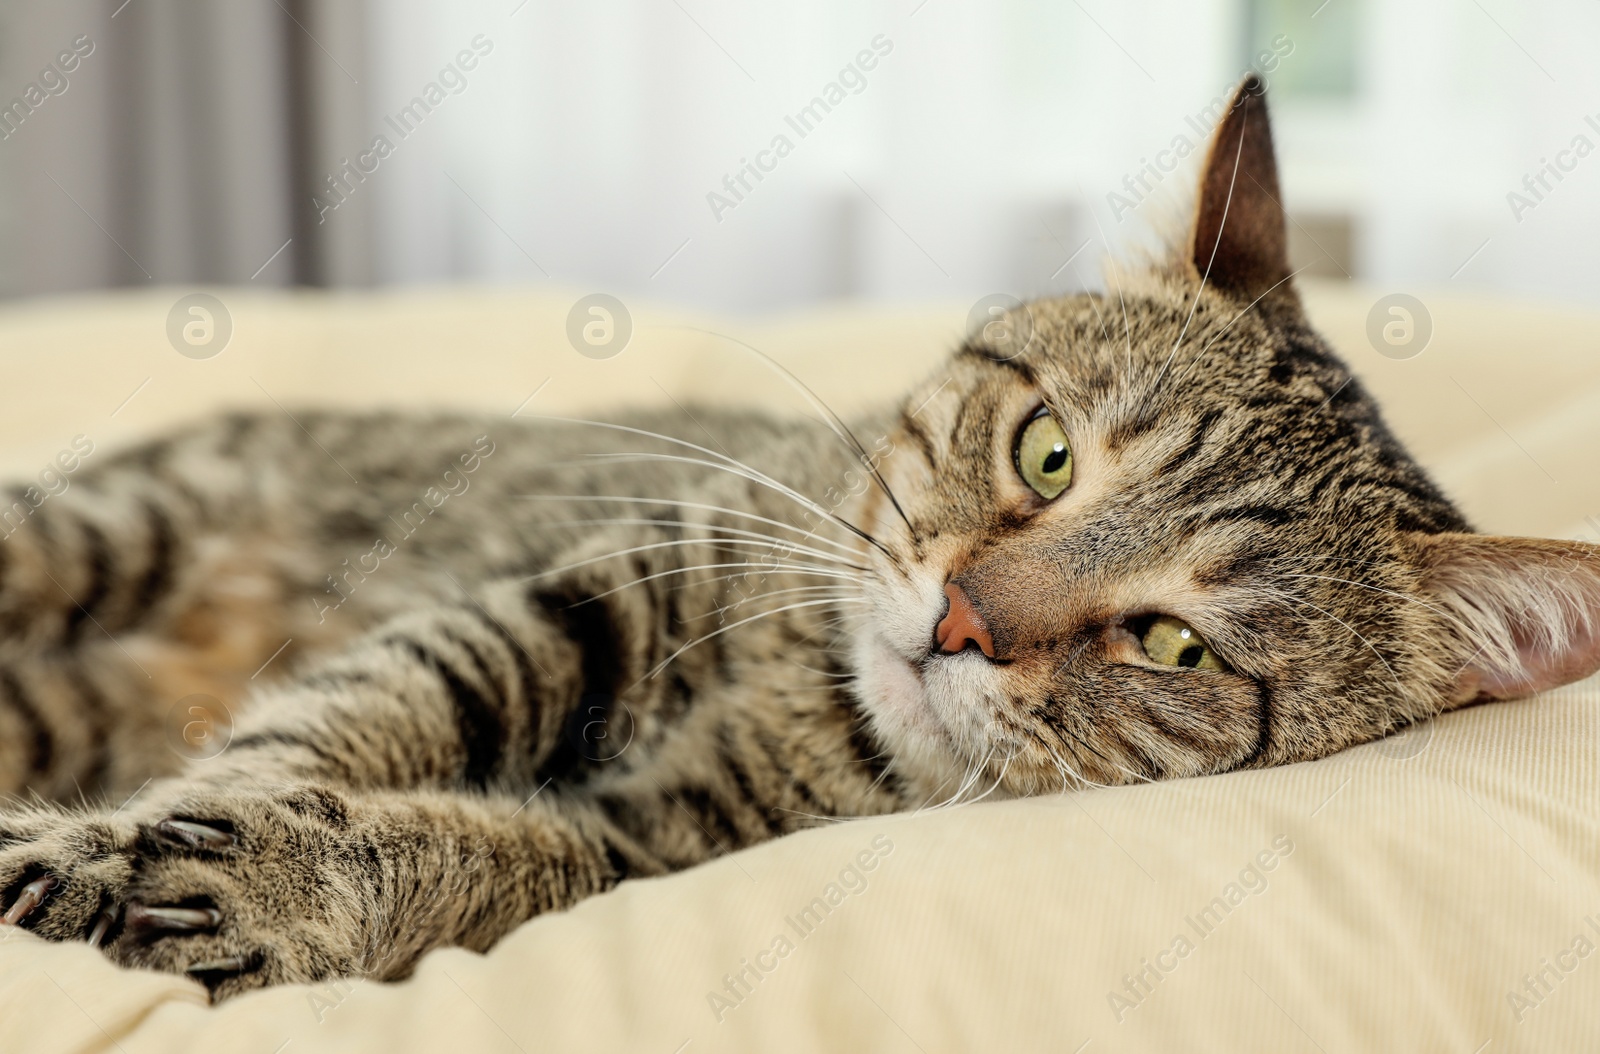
pixel 745 158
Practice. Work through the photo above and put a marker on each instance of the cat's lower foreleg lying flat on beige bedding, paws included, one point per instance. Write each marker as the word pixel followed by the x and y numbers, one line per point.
pixel 246 888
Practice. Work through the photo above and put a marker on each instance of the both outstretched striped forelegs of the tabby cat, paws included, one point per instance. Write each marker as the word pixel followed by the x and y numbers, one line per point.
pixel 300 850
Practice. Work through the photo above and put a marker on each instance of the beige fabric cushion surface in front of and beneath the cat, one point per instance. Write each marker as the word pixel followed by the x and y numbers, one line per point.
pixel 1372 901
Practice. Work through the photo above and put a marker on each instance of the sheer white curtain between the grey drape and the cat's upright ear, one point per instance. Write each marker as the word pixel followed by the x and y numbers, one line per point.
pixel 590 142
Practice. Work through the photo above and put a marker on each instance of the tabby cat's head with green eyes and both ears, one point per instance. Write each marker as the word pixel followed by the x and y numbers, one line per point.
pixel 1174 537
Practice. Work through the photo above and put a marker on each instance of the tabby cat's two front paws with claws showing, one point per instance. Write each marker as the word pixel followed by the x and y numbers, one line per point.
pixel 238 890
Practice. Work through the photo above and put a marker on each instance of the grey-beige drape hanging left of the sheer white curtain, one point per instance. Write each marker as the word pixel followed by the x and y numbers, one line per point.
pixel 170 142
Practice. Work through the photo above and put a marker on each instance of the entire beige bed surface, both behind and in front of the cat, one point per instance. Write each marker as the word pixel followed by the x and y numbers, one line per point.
pixel 1434 892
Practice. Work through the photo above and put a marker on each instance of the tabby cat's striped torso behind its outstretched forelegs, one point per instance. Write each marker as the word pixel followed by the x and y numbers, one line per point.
pixel 281 546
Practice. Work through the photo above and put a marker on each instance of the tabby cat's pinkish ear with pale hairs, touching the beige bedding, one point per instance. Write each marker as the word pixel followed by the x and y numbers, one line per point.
pixel 1529 610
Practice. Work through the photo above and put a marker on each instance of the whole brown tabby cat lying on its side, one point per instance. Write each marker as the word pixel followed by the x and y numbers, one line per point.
pixel 1169 537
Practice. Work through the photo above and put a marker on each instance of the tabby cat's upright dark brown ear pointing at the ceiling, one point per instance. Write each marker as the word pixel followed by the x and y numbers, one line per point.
pixel 1239 241
